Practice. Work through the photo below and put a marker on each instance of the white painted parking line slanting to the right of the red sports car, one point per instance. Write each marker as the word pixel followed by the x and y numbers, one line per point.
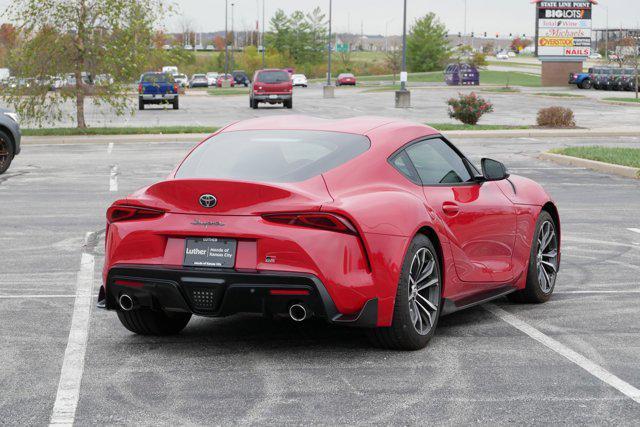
pixel 586 364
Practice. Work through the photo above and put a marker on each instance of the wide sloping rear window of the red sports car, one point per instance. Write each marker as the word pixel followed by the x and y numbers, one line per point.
pixel 271 156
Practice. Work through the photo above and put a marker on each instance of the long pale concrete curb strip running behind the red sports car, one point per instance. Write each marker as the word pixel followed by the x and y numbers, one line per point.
pixel 196 137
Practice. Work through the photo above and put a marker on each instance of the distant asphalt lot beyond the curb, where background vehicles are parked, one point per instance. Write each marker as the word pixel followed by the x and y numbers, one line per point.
pixel 428 104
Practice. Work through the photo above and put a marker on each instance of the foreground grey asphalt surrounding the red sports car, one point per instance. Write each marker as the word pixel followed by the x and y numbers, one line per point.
pixel 246 370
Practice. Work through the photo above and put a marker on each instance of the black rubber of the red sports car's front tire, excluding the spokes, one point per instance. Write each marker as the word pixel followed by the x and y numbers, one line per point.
pixel 533 291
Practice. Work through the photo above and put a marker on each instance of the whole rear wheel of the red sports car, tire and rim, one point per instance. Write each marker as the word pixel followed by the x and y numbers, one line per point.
pixel 417 306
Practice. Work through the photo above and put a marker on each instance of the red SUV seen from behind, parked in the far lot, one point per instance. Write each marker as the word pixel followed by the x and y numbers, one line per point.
pixel 272 86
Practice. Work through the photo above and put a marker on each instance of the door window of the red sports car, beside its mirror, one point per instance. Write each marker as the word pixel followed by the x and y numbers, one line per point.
pixel 437 163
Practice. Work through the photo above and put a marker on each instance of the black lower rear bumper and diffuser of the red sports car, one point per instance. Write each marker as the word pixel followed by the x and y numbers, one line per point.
pixel 222 292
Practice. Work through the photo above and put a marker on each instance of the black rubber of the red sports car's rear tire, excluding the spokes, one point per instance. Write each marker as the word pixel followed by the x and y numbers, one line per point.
pixel 403 333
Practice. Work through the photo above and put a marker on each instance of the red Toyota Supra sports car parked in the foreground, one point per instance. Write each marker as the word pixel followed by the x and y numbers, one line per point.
pixel 369 222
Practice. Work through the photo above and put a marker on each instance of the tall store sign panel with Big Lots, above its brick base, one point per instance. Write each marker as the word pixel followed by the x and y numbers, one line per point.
pixel 563 30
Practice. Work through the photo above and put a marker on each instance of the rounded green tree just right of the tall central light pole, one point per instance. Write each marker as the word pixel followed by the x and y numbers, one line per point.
pixel 427 45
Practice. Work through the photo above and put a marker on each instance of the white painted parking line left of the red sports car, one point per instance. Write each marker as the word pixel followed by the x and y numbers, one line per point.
pixel 64 408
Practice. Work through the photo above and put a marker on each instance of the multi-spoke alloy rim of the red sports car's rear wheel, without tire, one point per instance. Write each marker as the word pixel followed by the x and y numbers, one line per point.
pixel 424 291
